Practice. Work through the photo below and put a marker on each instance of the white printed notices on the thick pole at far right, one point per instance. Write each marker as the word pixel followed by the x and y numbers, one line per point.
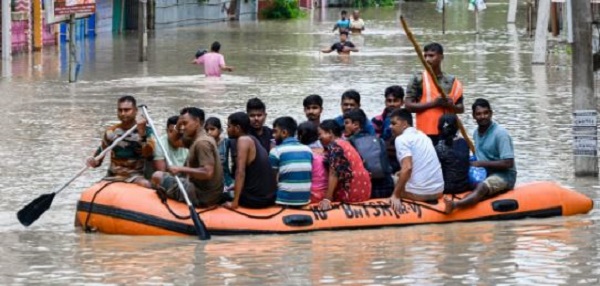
pixel 585 134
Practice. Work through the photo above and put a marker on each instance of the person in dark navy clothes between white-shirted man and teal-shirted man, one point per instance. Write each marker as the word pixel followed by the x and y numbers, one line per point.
pixel 453 154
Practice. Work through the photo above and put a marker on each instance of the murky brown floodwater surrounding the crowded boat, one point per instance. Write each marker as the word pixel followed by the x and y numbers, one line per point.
pixel 49 126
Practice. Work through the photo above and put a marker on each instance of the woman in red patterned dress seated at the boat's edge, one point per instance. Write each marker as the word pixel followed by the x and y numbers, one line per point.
pixel 349 181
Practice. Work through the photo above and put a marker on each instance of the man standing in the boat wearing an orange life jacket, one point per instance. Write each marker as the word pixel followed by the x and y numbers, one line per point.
pixel 423 98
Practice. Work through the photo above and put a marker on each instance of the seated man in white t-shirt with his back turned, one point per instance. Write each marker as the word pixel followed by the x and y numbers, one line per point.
pixel 420 176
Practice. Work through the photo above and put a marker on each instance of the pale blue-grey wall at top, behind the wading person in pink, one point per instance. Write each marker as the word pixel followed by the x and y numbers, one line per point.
pixel 172 13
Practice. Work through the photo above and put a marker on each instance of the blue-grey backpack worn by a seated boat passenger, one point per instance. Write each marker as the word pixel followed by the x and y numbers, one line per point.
pixel 373 154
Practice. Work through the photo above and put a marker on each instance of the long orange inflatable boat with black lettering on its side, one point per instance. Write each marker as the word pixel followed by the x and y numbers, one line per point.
pixel 121 208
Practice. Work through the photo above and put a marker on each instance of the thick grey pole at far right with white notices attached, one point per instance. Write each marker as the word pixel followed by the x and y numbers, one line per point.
pixel 585 114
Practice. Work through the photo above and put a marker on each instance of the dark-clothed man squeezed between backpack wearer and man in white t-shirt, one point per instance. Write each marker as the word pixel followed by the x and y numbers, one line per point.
pixel 394 99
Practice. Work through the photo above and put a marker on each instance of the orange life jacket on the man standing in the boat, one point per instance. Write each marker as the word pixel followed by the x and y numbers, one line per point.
pixel 427 120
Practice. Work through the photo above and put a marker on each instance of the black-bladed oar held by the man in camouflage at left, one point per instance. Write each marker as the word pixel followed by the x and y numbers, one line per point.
pixel 32 211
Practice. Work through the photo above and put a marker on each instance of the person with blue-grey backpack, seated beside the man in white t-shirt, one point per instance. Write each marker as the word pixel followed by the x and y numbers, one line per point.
pixel 372 151
